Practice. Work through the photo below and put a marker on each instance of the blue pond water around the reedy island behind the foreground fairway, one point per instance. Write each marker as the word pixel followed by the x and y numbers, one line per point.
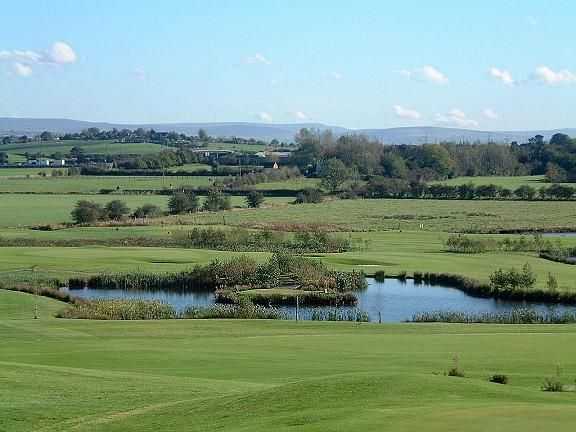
pixel 395 300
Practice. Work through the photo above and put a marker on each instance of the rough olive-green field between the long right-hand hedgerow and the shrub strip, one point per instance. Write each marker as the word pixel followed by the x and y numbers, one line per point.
pixel 408 214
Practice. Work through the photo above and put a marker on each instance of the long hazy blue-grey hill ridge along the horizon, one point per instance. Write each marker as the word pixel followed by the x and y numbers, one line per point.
pixel 283 132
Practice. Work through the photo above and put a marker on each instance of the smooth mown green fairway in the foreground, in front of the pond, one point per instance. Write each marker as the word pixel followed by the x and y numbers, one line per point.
pixel 278 375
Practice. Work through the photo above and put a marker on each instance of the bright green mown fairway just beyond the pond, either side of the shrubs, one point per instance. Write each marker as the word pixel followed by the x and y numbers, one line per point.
pixel 393 252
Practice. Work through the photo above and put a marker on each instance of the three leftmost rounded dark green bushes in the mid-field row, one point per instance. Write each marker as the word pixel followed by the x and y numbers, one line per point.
pixel 86 212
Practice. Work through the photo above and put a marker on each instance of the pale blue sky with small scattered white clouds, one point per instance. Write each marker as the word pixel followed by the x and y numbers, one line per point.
pixel 491 65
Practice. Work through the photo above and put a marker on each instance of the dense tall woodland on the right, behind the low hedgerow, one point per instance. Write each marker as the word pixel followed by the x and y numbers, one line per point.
pixel 362 156
